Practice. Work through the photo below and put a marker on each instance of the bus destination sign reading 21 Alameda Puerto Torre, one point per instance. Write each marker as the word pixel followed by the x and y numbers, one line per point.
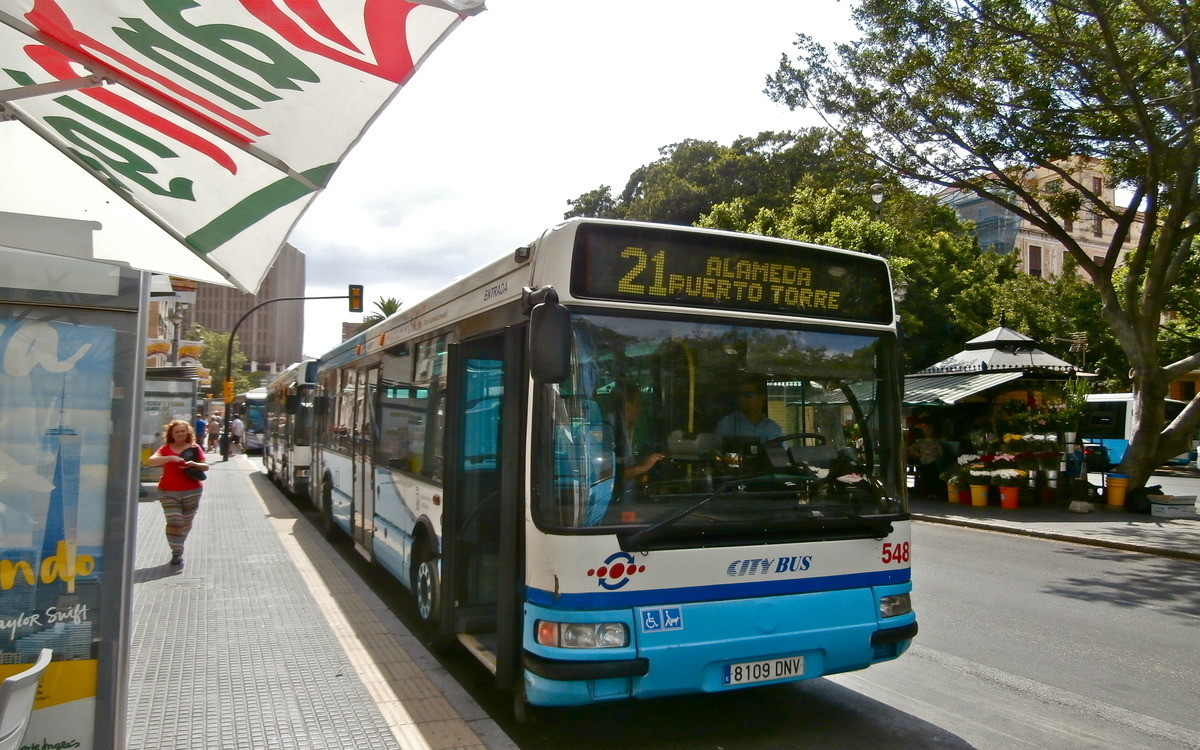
pixel 751 274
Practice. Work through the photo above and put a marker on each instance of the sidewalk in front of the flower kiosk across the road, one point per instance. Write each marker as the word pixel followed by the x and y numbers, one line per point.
pixel 1178 538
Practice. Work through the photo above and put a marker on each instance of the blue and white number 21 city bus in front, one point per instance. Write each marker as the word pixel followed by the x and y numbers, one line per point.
pixel 476 447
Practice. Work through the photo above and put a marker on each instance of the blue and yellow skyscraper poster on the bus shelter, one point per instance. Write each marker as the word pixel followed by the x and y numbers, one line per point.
pixel 57 391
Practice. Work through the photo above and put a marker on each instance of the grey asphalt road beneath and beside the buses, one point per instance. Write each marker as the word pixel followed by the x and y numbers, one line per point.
pixel 1024 644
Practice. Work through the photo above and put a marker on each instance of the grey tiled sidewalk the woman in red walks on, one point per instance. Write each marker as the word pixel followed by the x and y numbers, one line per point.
pixel 267 639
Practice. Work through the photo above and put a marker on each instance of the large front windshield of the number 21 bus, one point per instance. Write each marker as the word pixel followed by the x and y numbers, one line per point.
pixel 686 433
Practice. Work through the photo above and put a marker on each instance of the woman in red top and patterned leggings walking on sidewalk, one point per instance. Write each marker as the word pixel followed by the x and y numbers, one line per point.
pixel 178 493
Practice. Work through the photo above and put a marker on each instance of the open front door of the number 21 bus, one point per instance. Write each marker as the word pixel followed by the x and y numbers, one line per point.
pixel 483 517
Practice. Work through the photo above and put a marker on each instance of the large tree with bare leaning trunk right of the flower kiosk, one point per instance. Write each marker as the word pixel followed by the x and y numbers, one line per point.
pixel 973 95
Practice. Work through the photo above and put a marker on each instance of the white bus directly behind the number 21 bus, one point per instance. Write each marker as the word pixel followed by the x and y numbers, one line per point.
pixel 287 440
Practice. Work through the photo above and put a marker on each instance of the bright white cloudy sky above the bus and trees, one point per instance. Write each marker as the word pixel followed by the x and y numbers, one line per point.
pixel 525 107
